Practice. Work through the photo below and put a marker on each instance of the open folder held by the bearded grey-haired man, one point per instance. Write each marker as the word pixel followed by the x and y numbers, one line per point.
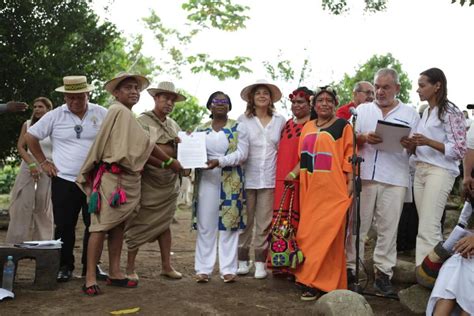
pixel 391 135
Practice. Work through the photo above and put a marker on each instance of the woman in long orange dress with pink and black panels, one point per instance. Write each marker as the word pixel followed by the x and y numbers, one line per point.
pixel 325 175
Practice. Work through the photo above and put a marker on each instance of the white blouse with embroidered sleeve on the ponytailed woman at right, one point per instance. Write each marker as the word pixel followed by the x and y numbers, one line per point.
pixel 451 132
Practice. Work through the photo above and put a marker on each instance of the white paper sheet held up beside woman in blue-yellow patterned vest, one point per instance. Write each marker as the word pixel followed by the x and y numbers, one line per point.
pixel 192 150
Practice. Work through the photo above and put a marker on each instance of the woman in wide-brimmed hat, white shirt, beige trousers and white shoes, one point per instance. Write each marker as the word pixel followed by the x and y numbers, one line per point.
pixel 264 126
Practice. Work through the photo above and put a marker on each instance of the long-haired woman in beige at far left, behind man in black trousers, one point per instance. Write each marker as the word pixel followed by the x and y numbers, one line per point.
pixel 30 207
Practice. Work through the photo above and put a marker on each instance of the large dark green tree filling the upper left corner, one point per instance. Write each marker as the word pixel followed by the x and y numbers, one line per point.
pixel 42 41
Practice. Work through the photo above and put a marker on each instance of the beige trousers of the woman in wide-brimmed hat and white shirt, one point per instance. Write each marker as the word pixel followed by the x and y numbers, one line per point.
pixel 259 218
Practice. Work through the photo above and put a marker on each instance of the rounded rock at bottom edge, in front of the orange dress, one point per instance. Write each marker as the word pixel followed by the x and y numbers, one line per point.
pixel 342 302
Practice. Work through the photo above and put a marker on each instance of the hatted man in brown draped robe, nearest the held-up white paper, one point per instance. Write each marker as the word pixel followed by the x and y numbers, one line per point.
pixel 160 186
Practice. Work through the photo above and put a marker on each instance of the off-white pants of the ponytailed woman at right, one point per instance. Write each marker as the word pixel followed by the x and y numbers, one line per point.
pixel 432 186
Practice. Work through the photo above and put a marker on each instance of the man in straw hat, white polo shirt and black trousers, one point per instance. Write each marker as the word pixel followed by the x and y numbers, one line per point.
pixel 72 128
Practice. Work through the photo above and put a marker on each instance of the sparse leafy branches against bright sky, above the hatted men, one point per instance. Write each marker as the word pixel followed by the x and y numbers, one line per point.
pixel 203 14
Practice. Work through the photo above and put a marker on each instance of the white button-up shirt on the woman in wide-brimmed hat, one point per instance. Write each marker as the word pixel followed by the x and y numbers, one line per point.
pixel 260 166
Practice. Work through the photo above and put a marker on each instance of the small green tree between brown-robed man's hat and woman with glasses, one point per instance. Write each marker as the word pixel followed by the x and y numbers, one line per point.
pixel 188 114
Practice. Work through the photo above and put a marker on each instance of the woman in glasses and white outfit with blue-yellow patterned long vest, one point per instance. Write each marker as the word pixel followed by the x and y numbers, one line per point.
pixel 219 204
